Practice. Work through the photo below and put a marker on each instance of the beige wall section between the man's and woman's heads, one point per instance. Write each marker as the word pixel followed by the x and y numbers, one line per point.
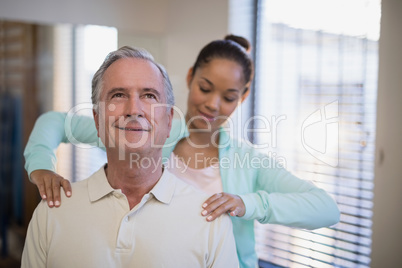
pixel 191 25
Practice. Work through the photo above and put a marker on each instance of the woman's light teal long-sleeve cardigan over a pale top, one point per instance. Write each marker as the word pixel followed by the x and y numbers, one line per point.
pixel 270 193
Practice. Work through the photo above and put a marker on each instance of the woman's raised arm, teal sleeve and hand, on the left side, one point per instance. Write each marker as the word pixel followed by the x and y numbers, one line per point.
pixel 49 131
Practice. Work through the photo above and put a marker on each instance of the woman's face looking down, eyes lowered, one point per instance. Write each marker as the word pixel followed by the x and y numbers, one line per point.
pixel 216 89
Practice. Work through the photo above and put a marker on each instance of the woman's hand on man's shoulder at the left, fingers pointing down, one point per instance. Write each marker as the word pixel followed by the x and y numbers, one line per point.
pixel 49 184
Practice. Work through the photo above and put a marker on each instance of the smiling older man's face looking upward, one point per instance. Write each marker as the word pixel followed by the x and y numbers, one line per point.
pixel 133 117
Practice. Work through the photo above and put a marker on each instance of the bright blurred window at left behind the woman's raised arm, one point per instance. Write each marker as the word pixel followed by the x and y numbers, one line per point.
pixel 79 50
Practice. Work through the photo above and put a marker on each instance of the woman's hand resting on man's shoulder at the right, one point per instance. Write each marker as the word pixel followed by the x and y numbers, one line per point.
pixel 221 203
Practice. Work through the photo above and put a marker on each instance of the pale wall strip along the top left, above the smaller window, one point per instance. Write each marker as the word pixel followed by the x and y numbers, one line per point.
pixel 133 15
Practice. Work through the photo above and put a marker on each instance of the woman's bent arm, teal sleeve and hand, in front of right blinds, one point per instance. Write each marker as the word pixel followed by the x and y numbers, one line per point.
pixel 270 194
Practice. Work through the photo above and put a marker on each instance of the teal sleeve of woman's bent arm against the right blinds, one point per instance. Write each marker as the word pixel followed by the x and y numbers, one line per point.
pixel 282 198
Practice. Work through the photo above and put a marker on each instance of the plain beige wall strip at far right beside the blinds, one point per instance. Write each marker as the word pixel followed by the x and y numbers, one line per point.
pixel 387 218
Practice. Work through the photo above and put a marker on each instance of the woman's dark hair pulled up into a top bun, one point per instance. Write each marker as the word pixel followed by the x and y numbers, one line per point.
pixel 232 47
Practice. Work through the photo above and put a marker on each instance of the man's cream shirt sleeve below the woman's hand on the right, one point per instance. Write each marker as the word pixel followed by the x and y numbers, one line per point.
pixel 222 244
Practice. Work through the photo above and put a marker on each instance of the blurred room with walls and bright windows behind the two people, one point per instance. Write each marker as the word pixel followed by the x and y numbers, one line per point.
pixel 325 101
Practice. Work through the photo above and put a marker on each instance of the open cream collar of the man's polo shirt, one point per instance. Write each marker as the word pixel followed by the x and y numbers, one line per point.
pixel 163 191
